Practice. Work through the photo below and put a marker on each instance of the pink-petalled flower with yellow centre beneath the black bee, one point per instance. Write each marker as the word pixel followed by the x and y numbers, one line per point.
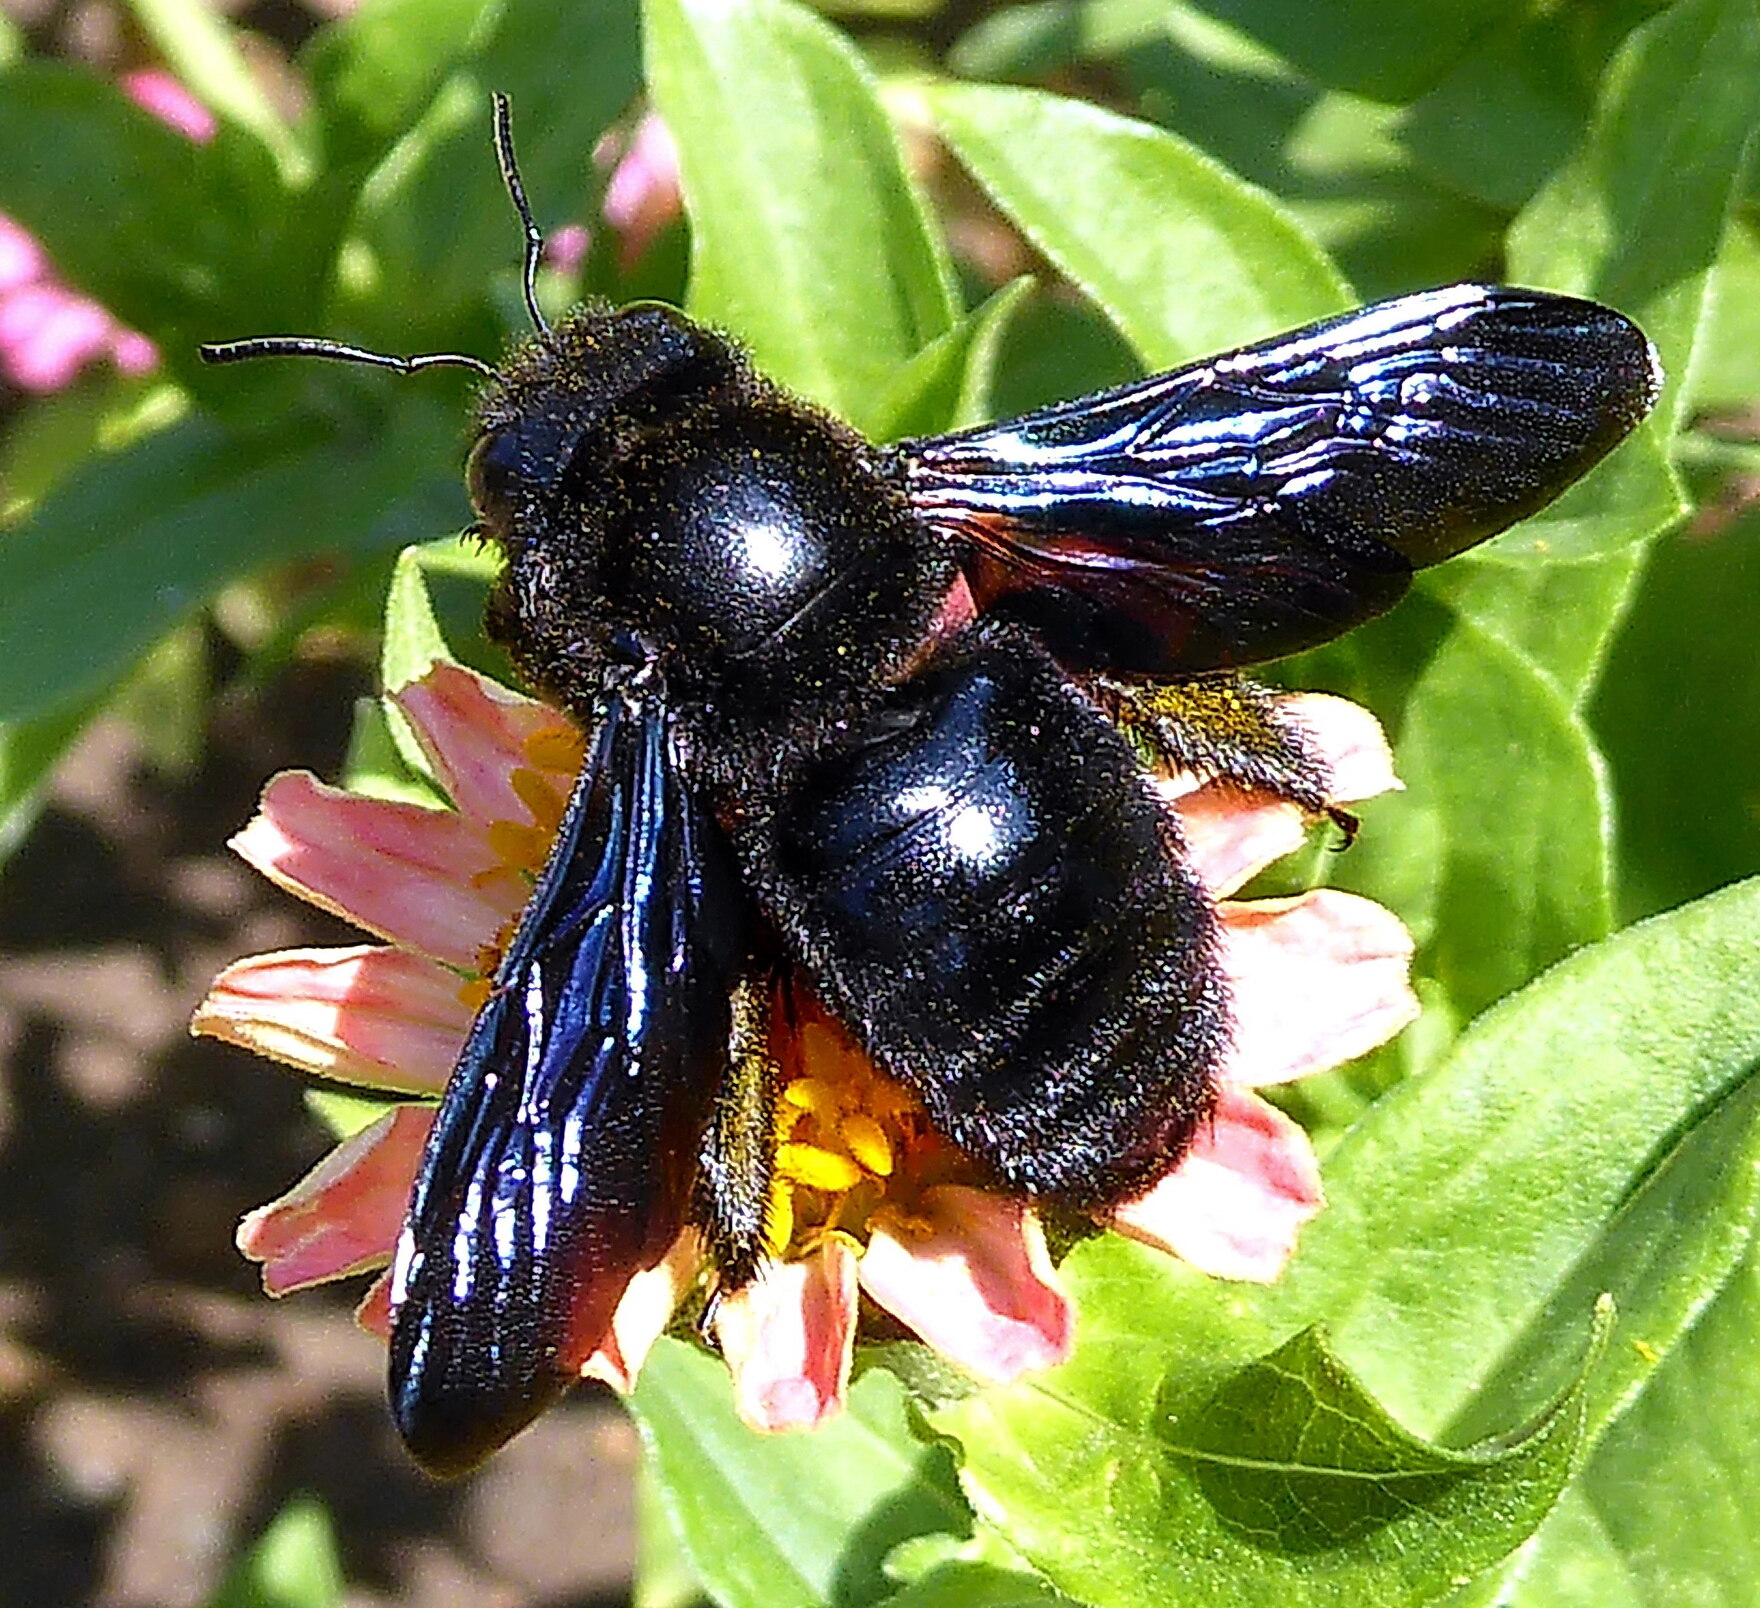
pixel 869 1199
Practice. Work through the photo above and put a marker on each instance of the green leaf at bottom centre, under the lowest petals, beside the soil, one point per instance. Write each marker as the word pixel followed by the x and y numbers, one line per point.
pixel 789 1521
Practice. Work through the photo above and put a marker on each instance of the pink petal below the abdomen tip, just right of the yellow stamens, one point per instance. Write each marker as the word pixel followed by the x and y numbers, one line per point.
pixel 969 1273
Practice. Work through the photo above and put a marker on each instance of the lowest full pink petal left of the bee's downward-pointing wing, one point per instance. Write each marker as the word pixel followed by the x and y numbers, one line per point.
pixel 342 1217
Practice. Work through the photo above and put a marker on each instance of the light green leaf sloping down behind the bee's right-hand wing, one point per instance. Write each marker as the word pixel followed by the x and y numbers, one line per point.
pixel 1178 252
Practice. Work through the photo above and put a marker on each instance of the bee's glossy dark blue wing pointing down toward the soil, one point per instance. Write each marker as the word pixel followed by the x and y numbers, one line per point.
pixel 564 1150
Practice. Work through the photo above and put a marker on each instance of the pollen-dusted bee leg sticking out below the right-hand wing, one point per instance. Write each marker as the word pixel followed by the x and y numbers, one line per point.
pixel 1221 727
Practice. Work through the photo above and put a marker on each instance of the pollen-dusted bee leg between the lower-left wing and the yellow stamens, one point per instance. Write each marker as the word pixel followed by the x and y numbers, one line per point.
pixel 738 1158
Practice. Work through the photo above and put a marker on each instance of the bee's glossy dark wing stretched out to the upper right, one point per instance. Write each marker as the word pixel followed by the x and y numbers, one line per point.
pixel 1275 497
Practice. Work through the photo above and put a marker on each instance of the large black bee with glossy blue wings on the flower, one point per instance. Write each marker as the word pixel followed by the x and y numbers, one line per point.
pixel 802 756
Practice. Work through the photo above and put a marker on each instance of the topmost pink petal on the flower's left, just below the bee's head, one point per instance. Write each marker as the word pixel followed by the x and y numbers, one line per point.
pixel 474 733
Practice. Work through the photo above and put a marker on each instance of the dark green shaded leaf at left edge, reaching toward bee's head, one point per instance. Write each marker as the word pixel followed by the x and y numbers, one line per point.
pixel 135 545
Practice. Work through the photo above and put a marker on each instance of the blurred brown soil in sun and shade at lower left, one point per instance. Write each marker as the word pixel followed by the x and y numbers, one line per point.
pixel 156 1410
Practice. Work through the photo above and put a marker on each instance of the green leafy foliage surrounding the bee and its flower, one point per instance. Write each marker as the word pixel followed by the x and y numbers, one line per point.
pixel 1574 706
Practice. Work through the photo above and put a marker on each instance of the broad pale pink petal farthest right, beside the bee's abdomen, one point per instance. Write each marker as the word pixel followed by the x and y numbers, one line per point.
pixel 1317 981
